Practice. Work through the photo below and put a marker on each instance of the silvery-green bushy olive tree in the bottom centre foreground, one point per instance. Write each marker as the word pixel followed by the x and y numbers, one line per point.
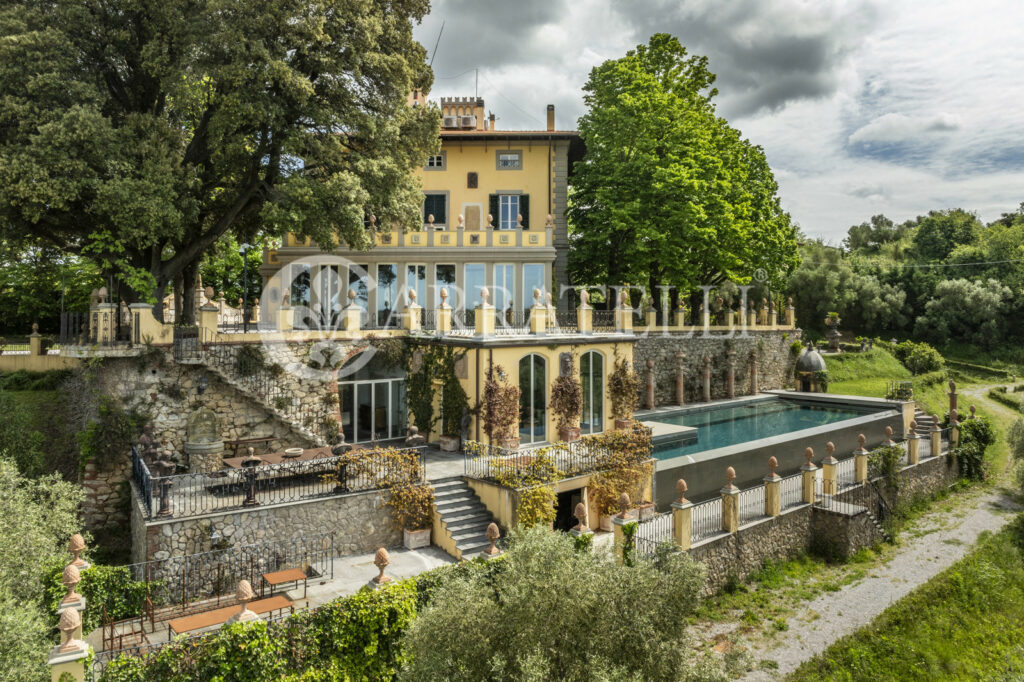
pixel 557 614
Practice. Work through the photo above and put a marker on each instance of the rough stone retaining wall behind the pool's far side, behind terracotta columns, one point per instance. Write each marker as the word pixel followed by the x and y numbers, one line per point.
pixel 776 363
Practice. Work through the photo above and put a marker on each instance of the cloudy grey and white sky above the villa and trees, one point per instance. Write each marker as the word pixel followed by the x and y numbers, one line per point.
pixel 862 106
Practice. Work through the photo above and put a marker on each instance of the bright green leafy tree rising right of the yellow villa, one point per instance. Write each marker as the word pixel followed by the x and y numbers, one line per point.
pixel 668 193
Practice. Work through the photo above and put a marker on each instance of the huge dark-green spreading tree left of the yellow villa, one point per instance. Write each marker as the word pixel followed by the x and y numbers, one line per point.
pixel 140 134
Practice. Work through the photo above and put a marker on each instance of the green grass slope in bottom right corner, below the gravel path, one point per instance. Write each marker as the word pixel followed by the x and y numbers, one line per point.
pixel 966 624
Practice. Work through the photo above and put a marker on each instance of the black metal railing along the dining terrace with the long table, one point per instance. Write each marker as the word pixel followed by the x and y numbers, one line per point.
pixel 195 494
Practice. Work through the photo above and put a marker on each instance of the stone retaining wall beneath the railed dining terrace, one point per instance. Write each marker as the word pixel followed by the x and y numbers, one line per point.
pixel 361 523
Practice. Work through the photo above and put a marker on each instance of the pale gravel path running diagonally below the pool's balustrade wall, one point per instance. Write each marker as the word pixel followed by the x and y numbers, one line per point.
pixel 836 615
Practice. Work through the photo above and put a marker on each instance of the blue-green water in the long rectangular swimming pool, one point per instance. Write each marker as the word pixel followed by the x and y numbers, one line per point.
pixel 721 428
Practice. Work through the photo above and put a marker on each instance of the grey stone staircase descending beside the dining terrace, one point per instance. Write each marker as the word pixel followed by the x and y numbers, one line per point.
pixel 462 517
